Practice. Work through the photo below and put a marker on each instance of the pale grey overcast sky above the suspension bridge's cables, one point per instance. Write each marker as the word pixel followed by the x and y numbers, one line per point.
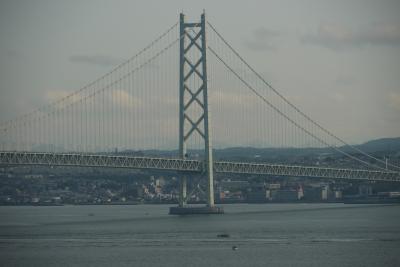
pixel 337 60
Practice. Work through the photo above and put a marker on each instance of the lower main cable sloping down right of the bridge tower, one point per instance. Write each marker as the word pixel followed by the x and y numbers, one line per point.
pixel 284 115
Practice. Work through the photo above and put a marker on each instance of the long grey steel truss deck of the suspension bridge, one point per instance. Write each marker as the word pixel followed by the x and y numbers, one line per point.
pixel 113 161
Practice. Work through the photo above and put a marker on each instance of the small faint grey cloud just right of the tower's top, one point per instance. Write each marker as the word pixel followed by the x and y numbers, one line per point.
pixel 263 39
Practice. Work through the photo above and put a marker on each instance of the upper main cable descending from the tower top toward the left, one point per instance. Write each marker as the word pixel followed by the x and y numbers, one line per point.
pixel 77 92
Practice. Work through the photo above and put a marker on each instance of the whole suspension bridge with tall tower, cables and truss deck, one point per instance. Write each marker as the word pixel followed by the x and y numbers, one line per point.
pixel 161 99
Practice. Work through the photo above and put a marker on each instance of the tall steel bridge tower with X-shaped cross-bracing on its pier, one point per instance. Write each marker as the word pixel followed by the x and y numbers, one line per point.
pixel 194 114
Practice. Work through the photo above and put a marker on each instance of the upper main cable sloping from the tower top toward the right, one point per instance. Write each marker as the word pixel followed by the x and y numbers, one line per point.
pixel 295 107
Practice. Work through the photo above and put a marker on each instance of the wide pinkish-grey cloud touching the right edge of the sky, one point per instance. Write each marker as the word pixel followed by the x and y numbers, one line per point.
pixel 338 37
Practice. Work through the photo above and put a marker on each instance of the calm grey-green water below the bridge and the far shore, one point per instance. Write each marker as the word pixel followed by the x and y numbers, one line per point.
pixel 145 235
